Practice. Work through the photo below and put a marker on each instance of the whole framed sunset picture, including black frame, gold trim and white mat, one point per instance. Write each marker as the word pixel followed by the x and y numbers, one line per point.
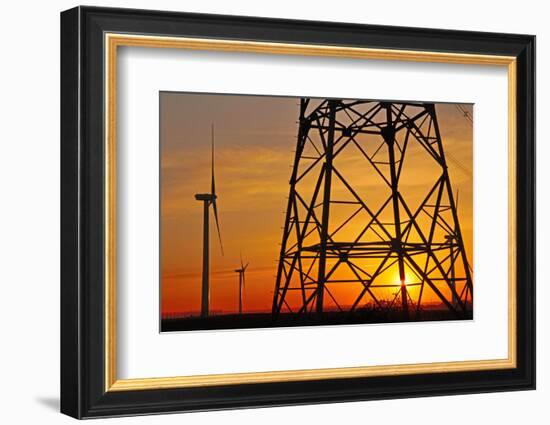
pixel 261 212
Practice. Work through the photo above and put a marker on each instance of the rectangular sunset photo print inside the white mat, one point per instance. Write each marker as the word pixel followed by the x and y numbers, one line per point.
pixel 289 211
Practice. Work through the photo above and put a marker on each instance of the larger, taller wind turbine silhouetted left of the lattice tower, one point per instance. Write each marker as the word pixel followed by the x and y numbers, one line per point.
pixel 208 199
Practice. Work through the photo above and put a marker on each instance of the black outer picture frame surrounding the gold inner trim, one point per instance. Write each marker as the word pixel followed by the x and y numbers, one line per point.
pixel 83 392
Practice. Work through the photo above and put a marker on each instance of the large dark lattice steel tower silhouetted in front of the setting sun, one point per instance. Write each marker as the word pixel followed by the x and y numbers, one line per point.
pixel 371 221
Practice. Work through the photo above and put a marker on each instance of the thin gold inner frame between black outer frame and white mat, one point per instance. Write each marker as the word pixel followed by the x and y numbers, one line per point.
pixel 113 41
